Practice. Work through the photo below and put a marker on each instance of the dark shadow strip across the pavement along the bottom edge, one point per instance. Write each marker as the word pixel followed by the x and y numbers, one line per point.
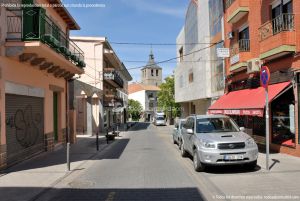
pixel 94 194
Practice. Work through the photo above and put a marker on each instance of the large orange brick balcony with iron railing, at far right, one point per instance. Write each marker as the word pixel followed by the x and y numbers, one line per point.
pixel 277 37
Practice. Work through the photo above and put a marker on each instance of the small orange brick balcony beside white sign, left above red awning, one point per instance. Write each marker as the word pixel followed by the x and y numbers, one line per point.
pixel 240 54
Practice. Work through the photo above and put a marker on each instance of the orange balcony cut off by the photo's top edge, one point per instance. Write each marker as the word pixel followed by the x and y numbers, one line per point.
pixel 236 9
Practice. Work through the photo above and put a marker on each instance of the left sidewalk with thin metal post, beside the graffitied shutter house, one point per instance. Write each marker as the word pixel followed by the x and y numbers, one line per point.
pixel 46 169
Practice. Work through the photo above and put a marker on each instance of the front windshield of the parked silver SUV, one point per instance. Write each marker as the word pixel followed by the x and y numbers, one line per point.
pixel 215 125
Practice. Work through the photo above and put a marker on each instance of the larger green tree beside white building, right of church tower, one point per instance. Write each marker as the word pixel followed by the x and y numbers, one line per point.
pixel 166 98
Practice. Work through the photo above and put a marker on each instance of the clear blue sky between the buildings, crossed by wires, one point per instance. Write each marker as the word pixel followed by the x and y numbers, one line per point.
pixel 146 21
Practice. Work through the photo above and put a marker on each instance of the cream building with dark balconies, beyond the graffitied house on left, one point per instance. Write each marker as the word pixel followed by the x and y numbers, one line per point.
pixel 105 72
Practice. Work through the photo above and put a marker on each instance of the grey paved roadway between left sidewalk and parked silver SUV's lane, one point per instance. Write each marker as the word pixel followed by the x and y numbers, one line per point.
pixel 140 166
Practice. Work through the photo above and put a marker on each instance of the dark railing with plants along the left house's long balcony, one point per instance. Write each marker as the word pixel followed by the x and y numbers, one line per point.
pixel 42 28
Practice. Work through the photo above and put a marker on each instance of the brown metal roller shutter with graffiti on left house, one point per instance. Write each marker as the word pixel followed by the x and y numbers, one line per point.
pixel 24 127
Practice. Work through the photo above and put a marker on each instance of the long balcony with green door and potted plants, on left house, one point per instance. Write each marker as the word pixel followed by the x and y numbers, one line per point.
pixel 33 37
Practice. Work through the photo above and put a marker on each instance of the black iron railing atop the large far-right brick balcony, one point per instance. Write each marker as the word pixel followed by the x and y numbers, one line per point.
pixel 284 22
